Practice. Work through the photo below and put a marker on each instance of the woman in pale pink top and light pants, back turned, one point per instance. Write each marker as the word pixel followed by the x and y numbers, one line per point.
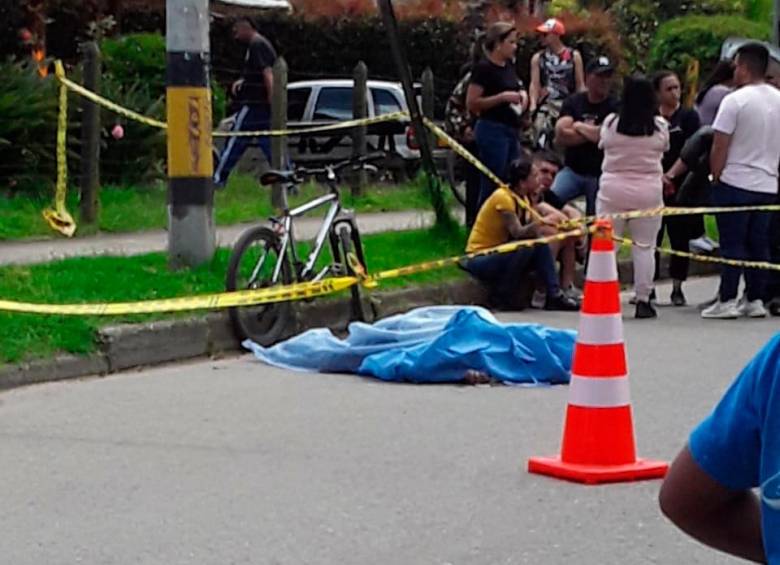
pixel 634 142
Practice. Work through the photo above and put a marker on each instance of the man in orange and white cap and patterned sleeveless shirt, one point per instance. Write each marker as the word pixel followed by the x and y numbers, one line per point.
pixel 556 71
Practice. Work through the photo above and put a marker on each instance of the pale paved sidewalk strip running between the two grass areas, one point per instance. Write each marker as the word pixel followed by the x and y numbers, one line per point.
pixel 41 251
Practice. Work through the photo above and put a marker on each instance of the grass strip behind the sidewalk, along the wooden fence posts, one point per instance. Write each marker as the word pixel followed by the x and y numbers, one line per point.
pixel 130 209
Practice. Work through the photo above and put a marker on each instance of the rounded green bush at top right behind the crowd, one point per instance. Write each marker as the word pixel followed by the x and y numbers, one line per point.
pixel 680 40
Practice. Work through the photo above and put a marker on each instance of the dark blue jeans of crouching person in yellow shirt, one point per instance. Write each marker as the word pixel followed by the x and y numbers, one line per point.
pixel 503 271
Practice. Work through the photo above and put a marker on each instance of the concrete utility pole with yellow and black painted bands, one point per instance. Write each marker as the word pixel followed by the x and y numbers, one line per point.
pixel 191 235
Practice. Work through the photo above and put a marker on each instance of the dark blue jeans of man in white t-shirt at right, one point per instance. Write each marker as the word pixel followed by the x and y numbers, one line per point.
pixel 743 236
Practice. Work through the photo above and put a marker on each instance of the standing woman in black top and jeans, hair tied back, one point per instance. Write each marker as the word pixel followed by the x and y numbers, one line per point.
pixel 496 95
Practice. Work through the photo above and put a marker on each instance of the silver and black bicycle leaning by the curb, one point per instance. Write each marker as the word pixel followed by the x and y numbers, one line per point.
pixel 264 256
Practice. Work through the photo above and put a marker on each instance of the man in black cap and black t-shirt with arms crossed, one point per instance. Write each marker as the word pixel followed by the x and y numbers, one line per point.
pixel 578 130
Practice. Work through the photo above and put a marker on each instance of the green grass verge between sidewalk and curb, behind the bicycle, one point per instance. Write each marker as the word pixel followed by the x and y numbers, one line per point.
pixel 107 279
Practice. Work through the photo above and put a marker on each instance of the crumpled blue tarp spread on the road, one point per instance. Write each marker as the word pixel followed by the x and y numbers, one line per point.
pixel 432 345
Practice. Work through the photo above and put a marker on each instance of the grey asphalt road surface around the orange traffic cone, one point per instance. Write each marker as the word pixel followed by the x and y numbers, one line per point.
pixel 230 461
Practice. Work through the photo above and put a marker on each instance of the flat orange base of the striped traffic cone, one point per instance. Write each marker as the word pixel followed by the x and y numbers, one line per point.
pixel 639 470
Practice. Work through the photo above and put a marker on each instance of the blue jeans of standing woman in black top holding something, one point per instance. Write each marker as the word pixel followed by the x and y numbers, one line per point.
pixel 497 145
